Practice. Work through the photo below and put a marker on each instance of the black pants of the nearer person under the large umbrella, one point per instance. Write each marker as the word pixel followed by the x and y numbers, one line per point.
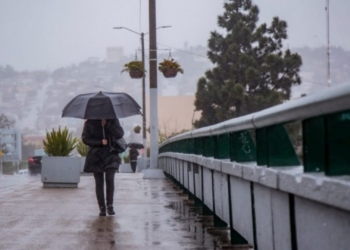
pixel 99 181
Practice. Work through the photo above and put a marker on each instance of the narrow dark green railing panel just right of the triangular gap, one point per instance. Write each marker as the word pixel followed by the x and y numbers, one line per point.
pixel 314 145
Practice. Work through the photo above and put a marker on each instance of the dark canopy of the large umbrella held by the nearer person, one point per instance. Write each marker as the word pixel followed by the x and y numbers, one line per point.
pixel 101 105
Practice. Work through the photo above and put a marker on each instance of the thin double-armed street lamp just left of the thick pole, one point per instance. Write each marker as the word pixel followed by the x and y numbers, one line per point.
pixel 143 82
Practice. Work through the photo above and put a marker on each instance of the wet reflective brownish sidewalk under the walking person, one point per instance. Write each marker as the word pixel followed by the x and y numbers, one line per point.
pixel 150 214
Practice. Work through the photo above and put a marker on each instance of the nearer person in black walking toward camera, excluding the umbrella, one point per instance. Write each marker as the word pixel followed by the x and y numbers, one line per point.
pixel 100 160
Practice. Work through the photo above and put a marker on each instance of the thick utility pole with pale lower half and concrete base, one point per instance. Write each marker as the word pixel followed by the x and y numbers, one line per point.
pixel 154 171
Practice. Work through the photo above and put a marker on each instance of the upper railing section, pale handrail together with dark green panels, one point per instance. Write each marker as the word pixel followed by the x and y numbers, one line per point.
pixel 261 137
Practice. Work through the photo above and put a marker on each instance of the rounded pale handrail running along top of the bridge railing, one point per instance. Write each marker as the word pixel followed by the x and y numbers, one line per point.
pixel 332 100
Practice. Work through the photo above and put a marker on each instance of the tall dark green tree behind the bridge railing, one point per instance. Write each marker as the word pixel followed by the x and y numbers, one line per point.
pixel 251 72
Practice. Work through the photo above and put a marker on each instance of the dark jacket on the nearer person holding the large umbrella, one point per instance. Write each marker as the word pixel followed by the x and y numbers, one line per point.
pixel 99 157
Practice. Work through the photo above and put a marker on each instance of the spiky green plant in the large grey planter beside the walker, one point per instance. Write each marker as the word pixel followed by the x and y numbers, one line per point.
pixel 60 142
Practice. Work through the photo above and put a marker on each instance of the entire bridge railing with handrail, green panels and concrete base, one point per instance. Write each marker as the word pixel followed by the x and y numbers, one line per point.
pixel 273 190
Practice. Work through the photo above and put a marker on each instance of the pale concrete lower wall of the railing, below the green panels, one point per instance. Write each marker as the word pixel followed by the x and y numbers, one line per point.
pixel 272 208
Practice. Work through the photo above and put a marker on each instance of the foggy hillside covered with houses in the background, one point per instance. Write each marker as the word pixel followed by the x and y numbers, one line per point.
pixel 35 99
